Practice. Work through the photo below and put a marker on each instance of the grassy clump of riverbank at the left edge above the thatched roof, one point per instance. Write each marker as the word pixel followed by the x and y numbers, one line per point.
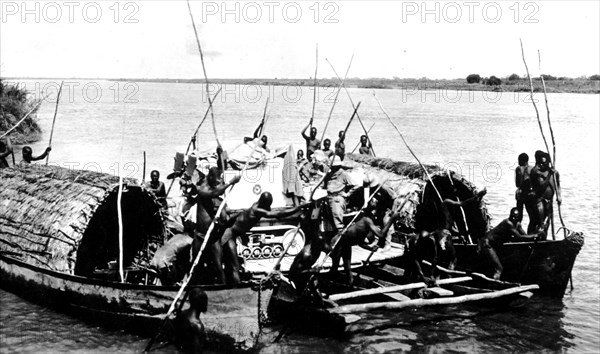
pixel 15 103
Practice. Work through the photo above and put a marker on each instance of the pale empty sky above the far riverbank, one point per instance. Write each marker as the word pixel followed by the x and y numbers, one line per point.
pixel 274 39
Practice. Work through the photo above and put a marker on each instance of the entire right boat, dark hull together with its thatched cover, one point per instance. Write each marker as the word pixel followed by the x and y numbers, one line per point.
pixel 546 263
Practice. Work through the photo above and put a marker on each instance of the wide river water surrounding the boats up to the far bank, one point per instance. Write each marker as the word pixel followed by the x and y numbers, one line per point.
pixel 102 124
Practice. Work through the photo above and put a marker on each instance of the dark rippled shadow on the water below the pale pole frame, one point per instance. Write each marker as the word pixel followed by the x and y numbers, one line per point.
pixel 532 326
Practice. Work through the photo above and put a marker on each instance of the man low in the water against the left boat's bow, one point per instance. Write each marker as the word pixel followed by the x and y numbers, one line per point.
pixel 189 329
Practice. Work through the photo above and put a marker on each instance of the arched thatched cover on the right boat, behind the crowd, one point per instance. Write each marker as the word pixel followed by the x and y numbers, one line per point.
pixel 416 200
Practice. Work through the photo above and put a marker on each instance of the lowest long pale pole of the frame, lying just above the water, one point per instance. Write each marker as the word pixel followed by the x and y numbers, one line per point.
pixel 394 305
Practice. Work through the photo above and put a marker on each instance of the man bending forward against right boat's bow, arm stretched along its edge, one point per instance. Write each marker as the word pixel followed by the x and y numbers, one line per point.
pixel 508 230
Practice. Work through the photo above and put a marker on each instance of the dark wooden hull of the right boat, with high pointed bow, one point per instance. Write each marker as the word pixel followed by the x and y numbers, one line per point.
pixel 546 263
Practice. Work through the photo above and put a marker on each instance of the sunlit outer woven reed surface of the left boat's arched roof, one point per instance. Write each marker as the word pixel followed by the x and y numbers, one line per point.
pixel 45 212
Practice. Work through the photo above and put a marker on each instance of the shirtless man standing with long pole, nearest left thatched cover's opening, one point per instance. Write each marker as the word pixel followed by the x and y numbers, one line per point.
pixel 207 206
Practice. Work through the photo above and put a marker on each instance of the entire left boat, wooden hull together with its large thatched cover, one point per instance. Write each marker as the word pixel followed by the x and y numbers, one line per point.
pixel 57 234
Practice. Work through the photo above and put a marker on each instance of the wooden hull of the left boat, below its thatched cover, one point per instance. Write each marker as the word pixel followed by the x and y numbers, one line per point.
pixel 231 321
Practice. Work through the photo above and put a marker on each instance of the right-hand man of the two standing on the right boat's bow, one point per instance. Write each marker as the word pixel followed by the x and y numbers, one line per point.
pixel 545 181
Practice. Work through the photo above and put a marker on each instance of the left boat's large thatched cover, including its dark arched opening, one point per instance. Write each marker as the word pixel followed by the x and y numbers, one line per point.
pixel 65 220
